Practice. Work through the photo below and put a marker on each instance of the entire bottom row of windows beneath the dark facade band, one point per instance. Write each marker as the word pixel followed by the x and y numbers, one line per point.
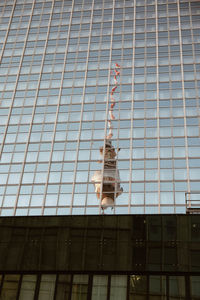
pixel 98 287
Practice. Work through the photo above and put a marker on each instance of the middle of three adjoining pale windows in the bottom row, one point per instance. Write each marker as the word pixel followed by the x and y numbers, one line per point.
pixel 99 288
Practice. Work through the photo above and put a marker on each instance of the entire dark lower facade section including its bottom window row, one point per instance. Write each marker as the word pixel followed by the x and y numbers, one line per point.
pixel 104 257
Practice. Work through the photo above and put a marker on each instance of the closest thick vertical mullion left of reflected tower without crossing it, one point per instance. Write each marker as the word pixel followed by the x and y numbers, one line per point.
pixel 82 106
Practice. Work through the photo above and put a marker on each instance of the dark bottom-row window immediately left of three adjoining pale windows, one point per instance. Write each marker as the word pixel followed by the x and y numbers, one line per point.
pixel 63 287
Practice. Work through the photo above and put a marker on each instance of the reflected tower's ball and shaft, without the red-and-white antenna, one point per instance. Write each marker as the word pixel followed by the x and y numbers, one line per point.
pixel 107 185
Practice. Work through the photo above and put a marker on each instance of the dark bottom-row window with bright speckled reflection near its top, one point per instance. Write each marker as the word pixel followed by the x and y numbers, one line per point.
pixel 138 287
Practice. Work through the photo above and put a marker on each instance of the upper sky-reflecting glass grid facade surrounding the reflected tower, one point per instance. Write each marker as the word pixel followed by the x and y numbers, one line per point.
pixel 55 82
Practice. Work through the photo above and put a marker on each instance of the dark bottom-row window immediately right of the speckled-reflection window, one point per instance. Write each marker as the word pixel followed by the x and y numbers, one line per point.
pixel 157 287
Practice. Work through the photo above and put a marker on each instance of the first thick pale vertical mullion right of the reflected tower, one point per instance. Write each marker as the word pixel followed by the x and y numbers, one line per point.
pixel 132 112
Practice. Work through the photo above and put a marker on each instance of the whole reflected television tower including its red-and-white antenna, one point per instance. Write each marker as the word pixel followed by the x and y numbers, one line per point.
pixel 107 185
